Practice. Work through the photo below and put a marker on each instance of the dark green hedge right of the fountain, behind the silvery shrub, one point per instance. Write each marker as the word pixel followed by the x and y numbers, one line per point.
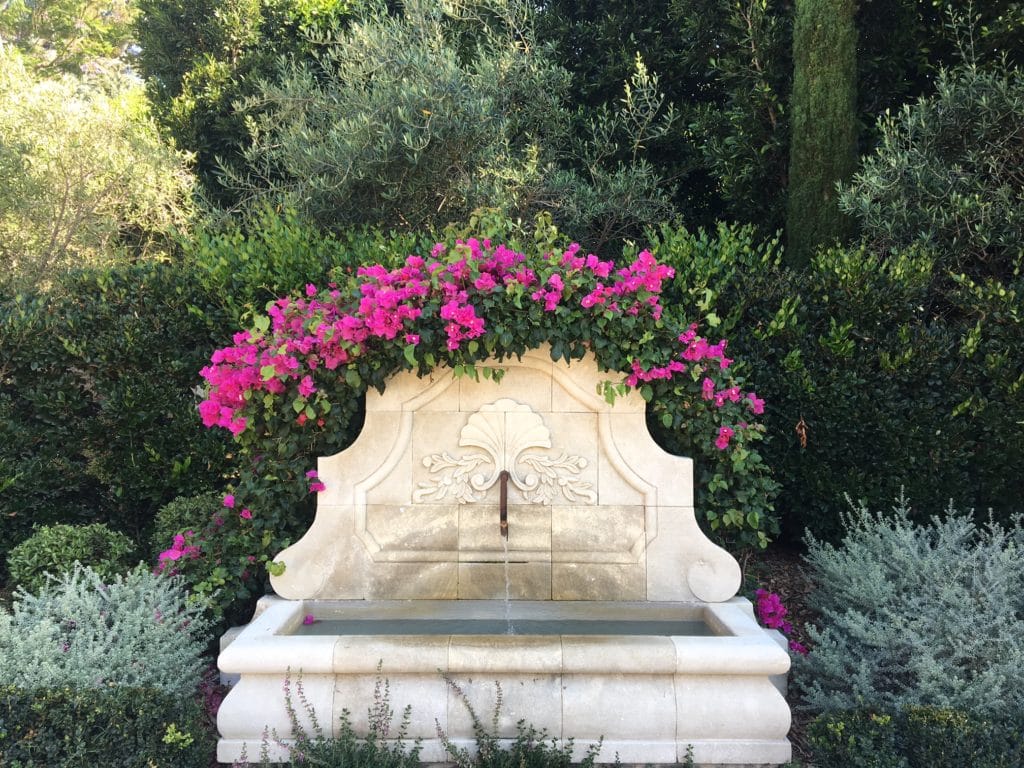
pixel 893 379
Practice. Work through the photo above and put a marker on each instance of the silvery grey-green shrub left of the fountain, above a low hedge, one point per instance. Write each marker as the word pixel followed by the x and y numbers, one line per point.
pixel 86 630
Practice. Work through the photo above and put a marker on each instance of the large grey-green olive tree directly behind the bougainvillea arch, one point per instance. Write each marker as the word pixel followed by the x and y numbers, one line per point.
pixel 417 117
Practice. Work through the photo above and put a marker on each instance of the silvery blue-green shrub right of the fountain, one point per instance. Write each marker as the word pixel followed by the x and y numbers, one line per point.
pixel 917 616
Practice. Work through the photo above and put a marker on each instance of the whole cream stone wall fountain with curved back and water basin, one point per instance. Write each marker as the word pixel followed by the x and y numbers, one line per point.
pixel 529 502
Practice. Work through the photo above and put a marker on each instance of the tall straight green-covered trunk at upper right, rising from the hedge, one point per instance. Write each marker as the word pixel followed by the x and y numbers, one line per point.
pixel 824 119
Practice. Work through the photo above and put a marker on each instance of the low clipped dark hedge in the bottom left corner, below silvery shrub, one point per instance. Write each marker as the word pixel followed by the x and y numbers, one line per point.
pixel 107 728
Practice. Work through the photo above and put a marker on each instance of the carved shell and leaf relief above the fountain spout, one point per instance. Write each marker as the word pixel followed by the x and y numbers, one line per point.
pixel 507 435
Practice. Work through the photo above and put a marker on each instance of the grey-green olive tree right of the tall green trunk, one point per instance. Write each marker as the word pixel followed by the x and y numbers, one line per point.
pixel 949 174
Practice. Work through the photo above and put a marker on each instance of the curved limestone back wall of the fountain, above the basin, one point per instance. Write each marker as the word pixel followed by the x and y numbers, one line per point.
pixel 596 510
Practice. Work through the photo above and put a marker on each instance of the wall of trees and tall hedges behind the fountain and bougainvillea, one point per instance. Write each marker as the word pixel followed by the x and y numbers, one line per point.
pixel 890 359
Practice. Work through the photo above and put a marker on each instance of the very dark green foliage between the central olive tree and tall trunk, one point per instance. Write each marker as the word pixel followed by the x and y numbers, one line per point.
pixel 726 66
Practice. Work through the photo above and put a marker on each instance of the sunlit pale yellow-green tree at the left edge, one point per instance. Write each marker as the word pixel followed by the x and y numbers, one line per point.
pixel 84 177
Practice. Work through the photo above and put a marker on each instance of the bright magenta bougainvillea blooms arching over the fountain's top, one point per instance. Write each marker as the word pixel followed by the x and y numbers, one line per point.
pixel 316 332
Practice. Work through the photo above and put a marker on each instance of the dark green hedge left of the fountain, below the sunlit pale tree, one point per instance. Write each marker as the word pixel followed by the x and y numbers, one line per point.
pixel 98 414
